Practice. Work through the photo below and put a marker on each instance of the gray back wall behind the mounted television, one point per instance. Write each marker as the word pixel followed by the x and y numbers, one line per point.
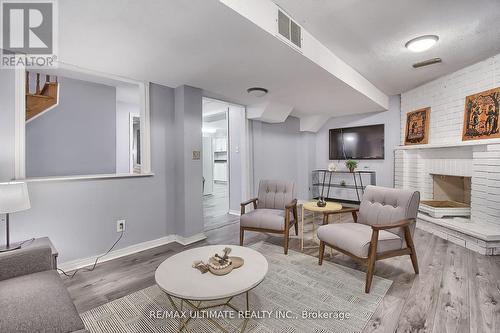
pixel 281 151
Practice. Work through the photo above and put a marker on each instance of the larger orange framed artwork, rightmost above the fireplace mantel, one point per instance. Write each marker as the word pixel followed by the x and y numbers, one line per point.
pixel 481 115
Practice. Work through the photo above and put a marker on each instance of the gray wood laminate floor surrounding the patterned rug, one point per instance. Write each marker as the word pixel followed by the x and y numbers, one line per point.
pixel 457 290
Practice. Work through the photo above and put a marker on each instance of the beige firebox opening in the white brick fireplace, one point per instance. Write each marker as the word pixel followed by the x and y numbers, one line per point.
pixel 451 197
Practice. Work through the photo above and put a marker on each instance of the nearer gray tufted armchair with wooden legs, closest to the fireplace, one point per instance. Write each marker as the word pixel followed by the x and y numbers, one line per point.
pixel 383 228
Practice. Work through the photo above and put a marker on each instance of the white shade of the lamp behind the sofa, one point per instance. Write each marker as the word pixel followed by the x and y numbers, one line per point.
pixel 14 197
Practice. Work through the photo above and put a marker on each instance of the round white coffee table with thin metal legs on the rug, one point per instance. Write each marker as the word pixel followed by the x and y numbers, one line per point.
pixel 178 279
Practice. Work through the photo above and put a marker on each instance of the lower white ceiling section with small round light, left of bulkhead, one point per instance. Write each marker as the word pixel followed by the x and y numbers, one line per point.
pixel 201 43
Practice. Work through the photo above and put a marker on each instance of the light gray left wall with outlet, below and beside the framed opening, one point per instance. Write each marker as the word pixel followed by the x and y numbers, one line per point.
pixel 80 216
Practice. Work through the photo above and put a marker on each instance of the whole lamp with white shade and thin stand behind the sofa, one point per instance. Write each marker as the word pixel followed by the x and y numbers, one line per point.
pixel 13 198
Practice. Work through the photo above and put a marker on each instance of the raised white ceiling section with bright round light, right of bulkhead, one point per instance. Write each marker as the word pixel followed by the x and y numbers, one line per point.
pixel 370 35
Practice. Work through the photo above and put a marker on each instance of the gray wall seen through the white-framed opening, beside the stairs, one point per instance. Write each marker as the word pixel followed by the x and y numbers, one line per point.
pixel 77 137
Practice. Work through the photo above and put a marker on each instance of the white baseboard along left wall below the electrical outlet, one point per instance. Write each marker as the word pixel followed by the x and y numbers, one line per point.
pixel 79 263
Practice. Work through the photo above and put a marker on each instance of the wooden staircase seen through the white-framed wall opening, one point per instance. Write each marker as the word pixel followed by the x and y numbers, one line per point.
pixel 42 100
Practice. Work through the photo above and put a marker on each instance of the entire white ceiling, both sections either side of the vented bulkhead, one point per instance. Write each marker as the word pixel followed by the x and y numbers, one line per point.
pixel 205 44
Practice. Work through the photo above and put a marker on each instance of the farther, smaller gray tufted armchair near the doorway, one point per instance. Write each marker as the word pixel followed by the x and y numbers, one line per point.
pixel 274 210
